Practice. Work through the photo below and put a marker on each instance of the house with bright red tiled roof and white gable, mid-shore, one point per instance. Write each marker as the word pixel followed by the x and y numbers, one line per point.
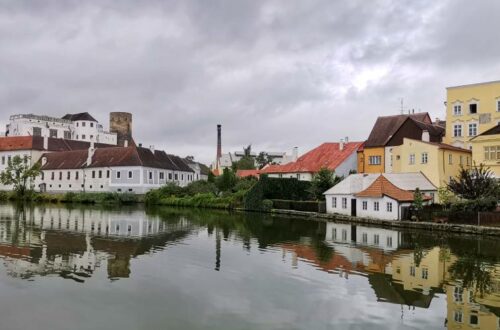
pixel 339 157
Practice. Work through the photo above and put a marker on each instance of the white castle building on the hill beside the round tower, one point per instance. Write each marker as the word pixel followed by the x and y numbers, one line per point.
pixel 80 127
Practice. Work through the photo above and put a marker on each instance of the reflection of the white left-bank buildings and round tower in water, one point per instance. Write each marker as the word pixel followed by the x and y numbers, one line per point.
pixel 74 242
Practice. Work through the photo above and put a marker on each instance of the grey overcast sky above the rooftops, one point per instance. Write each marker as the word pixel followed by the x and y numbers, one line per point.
pixel 275 74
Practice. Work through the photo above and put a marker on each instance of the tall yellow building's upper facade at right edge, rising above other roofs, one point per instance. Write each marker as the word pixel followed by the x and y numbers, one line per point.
pixel 471 110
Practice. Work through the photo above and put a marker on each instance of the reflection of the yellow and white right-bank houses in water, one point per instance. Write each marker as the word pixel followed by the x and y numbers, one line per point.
pixel 403 273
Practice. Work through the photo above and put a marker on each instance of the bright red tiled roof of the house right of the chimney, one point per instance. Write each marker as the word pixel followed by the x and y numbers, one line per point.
pixel 326 155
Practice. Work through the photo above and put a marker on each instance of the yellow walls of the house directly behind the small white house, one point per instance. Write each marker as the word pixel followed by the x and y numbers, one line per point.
pixel 437 161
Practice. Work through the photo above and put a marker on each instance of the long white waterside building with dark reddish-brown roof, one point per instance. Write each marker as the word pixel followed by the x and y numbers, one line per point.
pixel 115 169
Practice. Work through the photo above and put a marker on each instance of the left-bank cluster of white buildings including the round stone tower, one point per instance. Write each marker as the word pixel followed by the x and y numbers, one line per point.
pixel 77 155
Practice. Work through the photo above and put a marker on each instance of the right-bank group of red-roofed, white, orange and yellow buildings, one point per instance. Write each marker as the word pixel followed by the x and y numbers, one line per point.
pixel 405 152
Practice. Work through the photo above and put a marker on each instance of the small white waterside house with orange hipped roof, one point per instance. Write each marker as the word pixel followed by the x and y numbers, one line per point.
pixel 381 196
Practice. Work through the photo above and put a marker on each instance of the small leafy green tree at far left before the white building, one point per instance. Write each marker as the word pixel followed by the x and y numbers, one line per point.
pixel 21 175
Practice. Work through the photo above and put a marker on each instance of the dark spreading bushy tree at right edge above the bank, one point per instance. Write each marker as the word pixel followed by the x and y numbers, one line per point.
pixel 475 183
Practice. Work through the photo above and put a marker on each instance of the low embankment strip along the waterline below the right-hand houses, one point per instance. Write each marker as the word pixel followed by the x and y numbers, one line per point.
pixel 429 226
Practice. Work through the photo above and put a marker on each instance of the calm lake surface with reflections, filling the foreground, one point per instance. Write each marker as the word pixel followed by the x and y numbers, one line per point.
pixel 130 268
